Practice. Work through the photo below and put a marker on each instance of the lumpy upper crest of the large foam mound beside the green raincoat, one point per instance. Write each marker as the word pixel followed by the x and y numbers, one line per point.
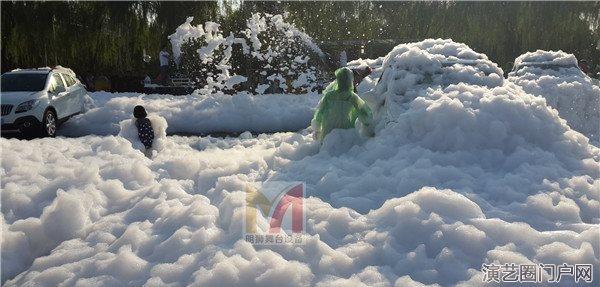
pixel 430 63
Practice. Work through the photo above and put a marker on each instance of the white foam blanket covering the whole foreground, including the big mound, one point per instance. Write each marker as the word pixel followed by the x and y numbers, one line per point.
pixel 462 174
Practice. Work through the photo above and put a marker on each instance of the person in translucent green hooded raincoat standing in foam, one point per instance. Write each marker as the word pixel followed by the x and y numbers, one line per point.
pixel 340 107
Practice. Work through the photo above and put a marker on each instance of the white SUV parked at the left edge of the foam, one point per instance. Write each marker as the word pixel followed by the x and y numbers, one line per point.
pixel 36 101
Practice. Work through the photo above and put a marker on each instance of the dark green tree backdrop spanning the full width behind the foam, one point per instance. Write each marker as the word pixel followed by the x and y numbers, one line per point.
pixel 111 37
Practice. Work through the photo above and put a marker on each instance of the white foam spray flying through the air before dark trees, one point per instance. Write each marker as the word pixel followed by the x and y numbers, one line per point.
pixel 272 55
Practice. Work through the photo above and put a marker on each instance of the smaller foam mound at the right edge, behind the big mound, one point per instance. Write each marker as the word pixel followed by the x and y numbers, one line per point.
pixel 556 77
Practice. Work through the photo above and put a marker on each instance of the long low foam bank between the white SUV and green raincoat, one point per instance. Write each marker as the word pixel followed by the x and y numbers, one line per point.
pixel 197 113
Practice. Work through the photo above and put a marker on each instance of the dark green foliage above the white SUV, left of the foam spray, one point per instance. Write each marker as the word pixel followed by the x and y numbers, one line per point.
pixel 92 37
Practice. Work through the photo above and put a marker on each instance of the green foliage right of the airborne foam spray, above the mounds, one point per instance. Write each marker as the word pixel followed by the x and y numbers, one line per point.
pixel 502 30
